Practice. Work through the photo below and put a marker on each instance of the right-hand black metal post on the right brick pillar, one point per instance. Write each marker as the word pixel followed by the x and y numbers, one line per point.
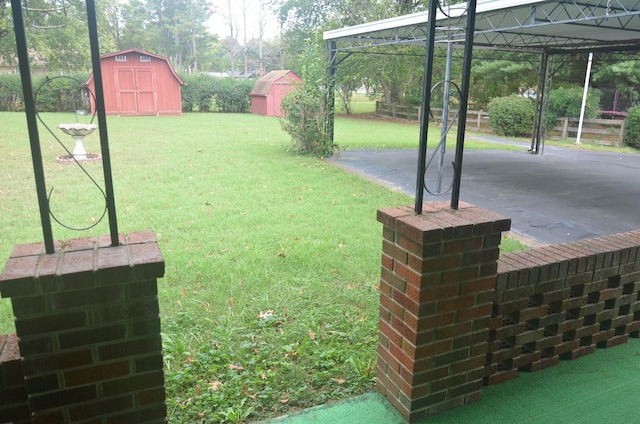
pixel 464 96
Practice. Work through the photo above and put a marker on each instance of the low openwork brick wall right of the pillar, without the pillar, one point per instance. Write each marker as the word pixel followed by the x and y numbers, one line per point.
pixel 562 302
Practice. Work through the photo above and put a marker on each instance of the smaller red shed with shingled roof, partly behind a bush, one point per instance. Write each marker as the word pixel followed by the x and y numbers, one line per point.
pixel 268 92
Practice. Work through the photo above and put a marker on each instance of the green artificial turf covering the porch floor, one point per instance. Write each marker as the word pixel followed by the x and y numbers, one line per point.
pixel 600 388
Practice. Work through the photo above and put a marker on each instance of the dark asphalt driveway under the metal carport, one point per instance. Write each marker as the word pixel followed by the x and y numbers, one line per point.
pixel 560 196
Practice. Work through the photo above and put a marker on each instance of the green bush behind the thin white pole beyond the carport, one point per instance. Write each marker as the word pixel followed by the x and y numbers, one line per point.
pixel 567 102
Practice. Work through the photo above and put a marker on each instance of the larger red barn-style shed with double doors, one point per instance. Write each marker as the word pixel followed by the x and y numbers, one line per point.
pixel 136 82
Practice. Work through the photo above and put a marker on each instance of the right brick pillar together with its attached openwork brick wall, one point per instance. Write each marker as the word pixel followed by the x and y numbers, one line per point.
pixel 454 316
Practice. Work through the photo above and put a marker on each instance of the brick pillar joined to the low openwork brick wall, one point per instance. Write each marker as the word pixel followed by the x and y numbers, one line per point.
pixel 436 295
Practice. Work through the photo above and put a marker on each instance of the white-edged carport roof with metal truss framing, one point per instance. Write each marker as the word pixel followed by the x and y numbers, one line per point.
pixel 533 25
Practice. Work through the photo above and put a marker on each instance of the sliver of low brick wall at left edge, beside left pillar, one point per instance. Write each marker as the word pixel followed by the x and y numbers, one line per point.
pixel 13 393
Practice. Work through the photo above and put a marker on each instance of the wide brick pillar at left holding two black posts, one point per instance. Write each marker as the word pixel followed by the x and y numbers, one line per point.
pixel 88 322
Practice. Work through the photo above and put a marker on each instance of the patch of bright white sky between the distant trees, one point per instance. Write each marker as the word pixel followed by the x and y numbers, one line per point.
pixel 218 23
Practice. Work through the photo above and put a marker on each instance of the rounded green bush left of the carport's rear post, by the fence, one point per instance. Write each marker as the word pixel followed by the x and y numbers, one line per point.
pixel 511 116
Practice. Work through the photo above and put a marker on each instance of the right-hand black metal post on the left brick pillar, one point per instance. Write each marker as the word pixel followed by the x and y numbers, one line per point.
pixel 102 120
